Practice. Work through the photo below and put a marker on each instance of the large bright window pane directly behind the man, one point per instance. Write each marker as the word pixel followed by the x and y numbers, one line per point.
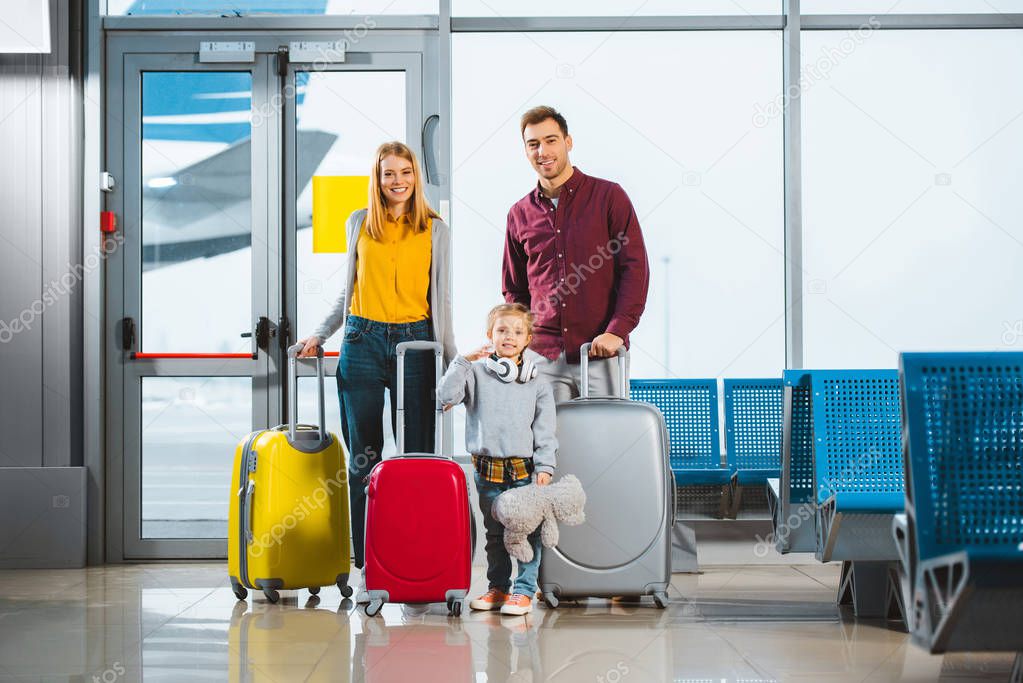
pixel 672 117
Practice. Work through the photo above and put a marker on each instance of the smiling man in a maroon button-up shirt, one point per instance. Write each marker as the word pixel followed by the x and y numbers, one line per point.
pixel 574 254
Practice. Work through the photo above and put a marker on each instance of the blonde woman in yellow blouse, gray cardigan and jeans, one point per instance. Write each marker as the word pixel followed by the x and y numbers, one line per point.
pixel 397 291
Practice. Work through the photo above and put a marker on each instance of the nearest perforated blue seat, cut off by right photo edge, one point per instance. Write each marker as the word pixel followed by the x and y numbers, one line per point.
pixel 962 537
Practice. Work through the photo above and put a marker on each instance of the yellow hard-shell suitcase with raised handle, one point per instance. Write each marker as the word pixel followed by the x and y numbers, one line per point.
pixel 288 524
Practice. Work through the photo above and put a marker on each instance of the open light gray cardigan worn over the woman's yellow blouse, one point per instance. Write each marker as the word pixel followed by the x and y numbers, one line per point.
pixel 440 287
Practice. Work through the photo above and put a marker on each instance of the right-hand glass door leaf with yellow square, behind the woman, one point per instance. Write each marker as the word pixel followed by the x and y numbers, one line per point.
pixel 341 114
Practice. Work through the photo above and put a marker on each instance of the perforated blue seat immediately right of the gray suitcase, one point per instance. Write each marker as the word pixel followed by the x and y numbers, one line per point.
pixel 690 409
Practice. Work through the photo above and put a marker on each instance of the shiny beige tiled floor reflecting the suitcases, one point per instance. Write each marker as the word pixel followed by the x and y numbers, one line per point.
pixel 182 623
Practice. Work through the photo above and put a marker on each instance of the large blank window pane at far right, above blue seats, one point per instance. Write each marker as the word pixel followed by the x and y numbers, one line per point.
pixel 911 196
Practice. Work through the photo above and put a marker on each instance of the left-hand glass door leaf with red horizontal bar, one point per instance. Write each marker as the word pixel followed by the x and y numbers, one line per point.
pixel 190 294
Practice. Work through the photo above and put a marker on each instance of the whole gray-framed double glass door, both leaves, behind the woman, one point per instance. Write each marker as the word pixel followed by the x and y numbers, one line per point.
pixel 214 270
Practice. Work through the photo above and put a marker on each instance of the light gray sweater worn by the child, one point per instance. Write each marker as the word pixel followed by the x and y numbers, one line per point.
pixel 504 420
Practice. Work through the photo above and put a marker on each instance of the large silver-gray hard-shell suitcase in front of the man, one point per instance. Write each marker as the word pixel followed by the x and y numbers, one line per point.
pixel 619 450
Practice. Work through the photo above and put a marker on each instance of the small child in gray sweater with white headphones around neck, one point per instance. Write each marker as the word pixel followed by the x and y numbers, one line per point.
pixel 510 431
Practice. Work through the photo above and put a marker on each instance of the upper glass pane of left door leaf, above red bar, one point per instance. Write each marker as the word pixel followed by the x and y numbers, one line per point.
pixel 197 211
